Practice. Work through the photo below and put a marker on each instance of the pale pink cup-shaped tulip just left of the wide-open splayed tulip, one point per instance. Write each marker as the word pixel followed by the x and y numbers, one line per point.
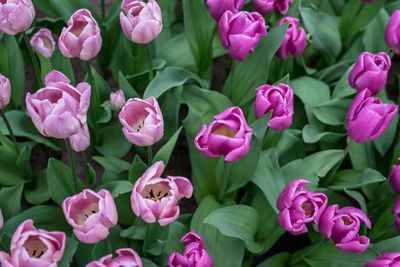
pixel 91 215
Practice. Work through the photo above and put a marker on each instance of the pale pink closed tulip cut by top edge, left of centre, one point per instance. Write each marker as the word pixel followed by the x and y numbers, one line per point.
pixel 141 21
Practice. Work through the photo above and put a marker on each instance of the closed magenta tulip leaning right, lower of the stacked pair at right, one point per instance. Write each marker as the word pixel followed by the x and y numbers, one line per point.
pixel 368 118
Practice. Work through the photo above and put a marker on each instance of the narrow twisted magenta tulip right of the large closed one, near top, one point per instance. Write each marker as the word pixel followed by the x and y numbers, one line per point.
pixel 295 41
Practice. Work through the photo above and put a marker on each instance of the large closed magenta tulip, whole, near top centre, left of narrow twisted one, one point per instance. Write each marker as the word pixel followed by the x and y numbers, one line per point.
pixel 240 32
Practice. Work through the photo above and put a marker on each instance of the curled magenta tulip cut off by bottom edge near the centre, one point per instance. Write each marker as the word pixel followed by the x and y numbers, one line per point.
pixel 195 253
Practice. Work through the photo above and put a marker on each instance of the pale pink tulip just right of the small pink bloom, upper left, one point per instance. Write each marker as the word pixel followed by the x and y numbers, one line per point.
pixel 82 38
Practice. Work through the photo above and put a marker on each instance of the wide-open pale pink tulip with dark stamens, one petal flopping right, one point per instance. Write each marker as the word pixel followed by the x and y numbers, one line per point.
pixel 155 198
